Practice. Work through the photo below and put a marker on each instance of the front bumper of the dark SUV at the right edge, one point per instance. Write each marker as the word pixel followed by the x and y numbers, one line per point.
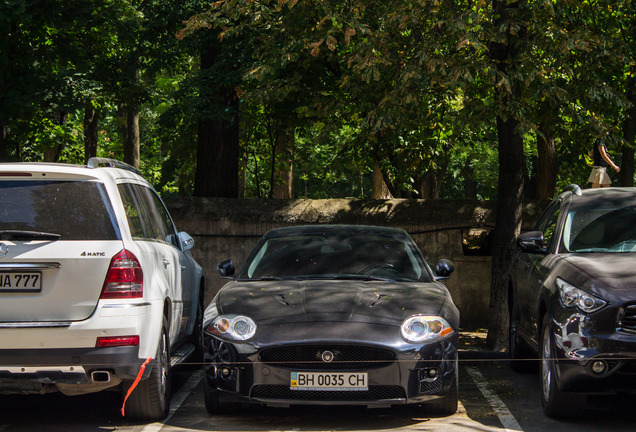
pixel 581 343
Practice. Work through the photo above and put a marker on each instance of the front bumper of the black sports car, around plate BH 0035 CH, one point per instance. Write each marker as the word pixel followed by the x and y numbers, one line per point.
pixel 240 372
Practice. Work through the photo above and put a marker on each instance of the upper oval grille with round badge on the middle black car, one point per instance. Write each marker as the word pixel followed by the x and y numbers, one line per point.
pixel 345 357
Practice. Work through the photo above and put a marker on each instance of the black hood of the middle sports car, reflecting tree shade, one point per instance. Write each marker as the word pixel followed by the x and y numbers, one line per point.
pixel 329 300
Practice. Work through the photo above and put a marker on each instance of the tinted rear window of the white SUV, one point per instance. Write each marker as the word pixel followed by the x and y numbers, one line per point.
pixel 74 210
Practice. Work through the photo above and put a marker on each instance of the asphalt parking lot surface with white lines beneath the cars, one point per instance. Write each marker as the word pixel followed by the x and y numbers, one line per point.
pixel 492 398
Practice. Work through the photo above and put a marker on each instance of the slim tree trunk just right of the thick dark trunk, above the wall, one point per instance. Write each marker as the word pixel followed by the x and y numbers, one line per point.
pixel 283 182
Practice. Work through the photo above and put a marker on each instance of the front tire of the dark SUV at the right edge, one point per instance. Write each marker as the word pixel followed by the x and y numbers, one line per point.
pixel 556 403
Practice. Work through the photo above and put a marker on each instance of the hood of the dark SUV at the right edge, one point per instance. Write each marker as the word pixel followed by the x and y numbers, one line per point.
pixel 615 270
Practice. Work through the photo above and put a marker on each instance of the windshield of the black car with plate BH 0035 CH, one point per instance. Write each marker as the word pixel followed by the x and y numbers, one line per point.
pixel 359 257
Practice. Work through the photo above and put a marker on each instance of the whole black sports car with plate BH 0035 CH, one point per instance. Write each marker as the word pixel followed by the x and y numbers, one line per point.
pixel 333 315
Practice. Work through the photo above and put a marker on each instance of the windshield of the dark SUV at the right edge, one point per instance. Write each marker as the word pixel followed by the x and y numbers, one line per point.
pixel 600 229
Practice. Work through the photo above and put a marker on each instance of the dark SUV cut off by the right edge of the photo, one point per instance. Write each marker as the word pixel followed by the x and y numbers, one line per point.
pixel 573 297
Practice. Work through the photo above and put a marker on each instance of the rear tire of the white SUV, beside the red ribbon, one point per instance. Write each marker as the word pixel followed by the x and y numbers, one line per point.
pixel 151 399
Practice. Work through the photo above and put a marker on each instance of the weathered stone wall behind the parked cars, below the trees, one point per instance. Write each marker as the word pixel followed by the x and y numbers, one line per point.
pixel 457 230
